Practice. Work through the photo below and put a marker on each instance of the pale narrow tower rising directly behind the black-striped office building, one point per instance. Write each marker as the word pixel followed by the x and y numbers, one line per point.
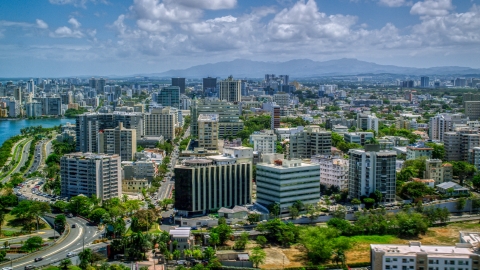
pixel 208 131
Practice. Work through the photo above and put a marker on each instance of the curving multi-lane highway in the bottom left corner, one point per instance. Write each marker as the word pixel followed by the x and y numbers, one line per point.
pixel 82 235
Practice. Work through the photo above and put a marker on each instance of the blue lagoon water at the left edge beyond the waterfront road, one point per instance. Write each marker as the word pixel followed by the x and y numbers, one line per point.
pixel 10 128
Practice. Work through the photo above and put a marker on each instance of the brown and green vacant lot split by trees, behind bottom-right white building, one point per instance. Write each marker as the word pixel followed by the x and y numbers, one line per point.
pixel 294 256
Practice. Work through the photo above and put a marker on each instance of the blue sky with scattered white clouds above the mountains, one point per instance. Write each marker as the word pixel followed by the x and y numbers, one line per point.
pixel 60 38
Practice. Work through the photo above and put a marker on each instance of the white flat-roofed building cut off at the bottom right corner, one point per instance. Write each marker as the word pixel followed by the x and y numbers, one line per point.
pixel 416 256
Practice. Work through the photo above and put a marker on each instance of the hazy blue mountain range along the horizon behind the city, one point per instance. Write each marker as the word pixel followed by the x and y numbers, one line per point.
pixel 307 68
